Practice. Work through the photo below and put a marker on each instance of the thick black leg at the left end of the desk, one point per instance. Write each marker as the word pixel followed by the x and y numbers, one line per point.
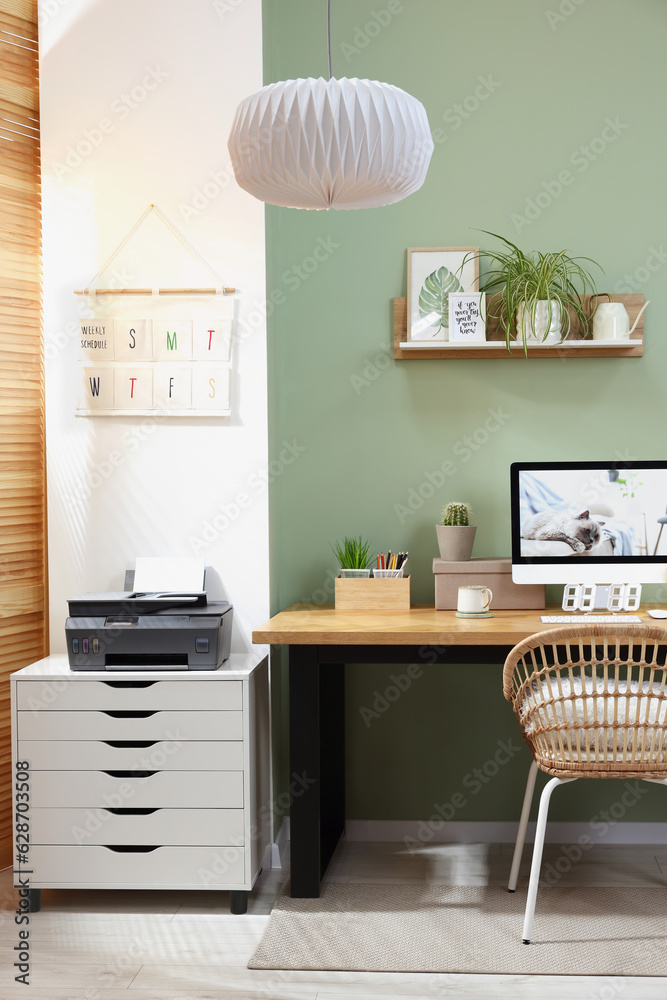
pixel 317 761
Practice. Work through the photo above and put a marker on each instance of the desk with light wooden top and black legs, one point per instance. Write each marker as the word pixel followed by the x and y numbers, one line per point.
pixel 321 641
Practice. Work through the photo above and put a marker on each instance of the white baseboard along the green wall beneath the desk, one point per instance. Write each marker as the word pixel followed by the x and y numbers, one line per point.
pixel 460 832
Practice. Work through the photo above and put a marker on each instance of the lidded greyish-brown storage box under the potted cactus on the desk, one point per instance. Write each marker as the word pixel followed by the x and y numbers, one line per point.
pixel 493 573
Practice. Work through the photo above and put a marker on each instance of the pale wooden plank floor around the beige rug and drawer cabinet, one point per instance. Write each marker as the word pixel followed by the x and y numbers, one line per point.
pixel 140 945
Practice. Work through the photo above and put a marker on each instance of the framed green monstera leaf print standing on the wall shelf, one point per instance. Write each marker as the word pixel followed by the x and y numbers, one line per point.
pixel 434 272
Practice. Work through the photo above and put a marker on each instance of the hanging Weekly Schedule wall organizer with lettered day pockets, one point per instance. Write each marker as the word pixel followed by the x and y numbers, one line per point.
pixel 156 350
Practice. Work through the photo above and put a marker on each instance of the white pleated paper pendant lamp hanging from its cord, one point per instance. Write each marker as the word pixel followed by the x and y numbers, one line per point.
pixel 330 143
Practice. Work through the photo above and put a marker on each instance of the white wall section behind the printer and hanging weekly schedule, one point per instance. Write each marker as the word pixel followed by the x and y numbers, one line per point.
pixel 137 101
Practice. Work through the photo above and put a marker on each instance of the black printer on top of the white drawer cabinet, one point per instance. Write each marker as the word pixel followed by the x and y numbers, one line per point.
pixel 128 630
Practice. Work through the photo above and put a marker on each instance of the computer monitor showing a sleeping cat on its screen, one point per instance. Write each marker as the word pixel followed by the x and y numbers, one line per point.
pixel 589 522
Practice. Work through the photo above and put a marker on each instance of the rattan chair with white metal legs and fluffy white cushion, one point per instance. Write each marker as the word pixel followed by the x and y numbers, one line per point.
pixel 591 701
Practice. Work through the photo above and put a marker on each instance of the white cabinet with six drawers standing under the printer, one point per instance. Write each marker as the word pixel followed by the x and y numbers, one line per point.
pixel 144 779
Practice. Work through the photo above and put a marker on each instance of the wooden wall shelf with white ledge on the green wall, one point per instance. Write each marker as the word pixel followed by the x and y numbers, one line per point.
pixel 494 346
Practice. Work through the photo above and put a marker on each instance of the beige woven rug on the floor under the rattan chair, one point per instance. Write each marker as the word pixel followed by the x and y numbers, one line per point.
pixel 414 927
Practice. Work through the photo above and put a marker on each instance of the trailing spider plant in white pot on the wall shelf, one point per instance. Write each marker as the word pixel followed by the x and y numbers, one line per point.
pixel 537 293
